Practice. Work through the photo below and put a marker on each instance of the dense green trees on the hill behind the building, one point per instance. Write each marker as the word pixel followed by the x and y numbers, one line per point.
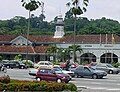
pixel 18 25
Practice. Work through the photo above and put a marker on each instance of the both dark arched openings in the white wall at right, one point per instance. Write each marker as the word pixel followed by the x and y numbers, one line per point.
pixel 105 58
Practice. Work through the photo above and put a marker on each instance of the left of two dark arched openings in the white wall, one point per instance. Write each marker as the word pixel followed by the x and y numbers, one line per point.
pixel 87 58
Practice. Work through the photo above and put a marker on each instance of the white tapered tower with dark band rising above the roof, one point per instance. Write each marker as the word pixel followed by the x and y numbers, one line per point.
pixel 59 33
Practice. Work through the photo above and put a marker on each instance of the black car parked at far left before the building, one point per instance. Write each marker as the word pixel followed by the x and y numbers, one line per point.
pixel 15 64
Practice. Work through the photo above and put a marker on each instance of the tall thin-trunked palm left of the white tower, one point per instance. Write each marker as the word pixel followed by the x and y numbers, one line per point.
pixel 30 5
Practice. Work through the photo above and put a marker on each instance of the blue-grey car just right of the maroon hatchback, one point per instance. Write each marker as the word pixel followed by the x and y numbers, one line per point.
pixel 83 71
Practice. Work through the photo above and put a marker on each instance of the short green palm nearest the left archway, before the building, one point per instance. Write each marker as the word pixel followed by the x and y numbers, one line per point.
pixel 74 49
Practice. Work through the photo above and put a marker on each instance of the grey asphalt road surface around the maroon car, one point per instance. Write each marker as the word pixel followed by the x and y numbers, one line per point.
pixel 111 83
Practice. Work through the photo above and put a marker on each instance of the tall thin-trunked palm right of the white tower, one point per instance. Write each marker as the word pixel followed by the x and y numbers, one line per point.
pixel 77 10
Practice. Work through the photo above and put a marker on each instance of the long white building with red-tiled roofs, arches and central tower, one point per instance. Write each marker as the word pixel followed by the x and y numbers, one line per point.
pixel 96 48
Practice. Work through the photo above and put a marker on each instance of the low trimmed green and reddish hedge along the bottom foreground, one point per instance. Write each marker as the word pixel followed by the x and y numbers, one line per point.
pixel 20 85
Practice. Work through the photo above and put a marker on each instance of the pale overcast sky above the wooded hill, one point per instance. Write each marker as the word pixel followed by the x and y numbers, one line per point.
pixel 96 9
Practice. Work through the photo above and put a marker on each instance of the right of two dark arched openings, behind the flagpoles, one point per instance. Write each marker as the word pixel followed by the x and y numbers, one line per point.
pixel 109 58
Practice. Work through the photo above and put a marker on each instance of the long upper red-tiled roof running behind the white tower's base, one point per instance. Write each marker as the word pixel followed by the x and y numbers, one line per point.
pixel 65 39
